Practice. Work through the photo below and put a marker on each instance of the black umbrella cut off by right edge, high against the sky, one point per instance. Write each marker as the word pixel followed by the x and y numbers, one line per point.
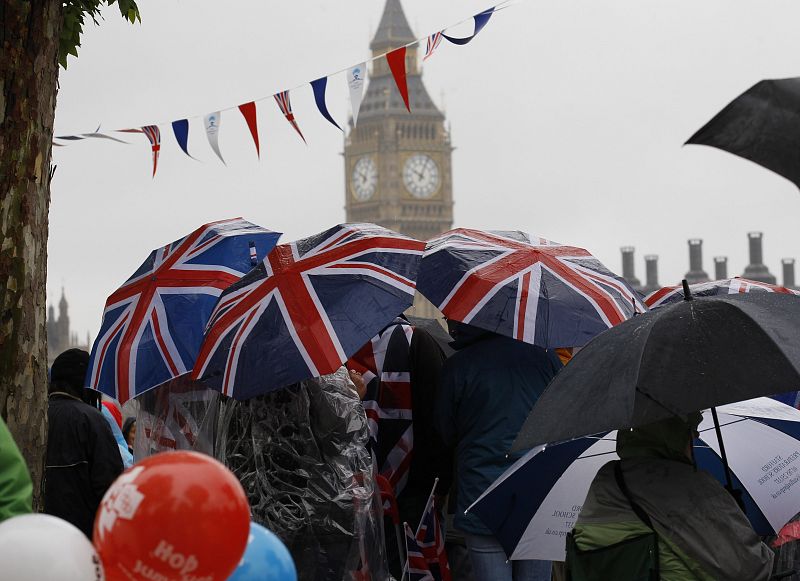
pixel 762 125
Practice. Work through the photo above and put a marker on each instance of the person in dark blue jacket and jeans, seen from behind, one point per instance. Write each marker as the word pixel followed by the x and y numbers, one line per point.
pixel 487 390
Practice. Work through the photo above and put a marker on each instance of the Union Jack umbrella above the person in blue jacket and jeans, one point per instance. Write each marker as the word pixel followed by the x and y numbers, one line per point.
pixel 527 288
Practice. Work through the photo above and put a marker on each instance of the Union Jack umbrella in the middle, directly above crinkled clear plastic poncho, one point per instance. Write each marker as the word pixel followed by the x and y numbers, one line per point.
pixel 307 307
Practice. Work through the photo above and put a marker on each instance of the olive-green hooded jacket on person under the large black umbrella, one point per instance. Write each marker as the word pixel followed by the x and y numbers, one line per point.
pixel 703 535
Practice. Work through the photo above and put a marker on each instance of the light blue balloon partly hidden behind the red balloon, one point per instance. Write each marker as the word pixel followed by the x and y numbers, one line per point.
pixel 266 558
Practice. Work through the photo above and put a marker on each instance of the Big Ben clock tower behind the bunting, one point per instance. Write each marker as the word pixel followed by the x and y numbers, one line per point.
pixel 397 165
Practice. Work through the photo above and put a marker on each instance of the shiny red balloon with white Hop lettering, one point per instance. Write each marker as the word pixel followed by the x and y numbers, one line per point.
pixel 175 515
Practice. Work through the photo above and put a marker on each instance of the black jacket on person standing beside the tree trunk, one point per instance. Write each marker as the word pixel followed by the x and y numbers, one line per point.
pixel 82 461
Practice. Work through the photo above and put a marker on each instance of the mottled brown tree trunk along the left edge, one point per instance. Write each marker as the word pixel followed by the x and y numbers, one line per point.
pixel 28 84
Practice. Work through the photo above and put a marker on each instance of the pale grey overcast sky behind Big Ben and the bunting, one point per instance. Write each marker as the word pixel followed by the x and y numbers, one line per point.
pixel 567 118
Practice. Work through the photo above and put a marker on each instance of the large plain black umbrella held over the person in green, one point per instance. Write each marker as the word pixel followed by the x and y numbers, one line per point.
pixel 680 358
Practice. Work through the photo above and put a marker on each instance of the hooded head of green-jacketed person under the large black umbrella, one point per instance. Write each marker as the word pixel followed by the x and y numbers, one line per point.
pixel 669 439
